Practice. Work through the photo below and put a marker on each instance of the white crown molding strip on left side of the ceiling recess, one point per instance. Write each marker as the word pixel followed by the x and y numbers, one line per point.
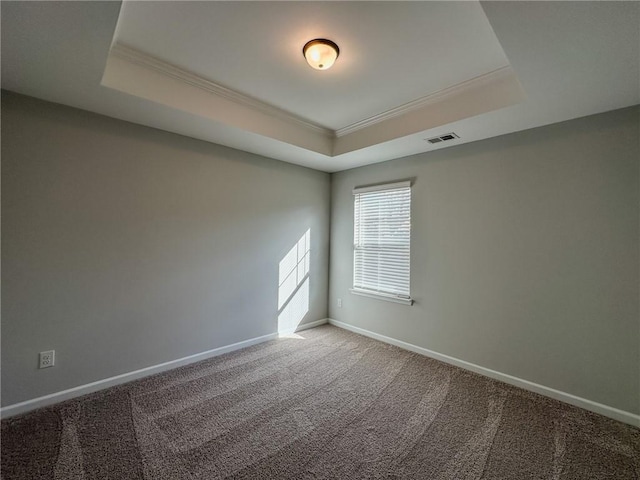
pixel 144 60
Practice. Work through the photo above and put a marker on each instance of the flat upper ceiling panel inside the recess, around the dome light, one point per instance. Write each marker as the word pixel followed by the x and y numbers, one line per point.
pixel 256 49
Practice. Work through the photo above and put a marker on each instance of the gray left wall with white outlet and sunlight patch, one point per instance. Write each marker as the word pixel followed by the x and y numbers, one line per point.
pixel 125 247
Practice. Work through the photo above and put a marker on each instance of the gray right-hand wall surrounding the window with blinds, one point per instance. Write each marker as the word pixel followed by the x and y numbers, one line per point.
pixel 524 255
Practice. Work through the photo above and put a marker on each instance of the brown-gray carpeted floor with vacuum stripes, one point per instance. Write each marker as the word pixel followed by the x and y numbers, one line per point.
pixel 331 404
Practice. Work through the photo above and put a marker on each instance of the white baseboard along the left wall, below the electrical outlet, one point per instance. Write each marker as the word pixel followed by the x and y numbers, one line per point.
pixel 28 405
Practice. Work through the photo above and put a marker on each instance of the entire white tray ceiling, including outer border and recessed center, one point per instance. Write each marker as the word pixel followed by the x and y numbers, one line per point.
pixel 233 72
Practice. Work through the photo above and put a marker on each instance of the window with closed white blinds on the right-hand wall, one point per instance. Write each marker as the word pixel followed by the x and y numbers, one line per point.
pixel 382 236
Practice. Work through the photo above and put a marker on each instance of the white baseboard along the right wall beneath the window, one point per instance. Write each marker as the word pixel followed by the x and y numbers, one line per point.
pixel 616 414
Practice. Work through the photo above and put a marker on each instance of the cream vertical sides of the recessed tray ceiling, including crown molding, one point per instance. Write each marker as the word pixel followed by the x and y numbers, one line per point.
pixel 137 73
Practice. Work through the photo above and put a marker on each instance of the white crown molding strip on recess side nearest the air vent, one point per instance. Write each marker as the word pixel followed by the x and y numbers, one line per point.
pixel 427 100
